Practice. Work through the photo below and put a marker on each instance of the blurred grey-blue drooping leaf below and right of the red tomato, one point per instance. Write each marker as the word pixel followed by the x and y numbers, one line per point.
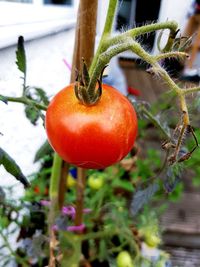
pixel 142 197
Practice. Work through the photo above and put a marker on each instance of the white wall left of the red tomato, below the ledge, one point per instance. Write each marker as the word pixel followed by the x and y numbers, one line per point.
pixel 46 70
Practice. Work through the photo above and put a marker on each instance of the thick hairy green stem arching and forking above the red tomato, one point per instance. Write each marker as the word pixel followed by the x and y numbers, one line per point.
pixel 112 46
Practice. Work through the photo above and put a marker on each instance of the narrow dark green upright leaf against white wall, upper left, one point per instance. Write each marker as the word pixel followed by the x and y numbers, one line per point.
pixel 21 55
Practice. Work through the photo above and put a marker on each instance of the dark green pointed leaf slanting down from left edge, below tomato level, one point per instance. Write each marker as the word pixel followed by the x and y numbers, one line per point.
pixel 11 166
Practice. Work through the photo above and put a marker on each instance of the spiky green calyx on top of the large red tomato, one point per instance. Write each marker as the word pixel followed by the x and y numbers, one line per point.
pixel 85 96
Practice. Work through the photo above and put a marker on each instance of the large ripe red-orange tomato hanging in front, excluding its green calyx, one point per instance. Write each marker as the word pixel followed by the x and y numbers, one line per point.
pixel 91 136
